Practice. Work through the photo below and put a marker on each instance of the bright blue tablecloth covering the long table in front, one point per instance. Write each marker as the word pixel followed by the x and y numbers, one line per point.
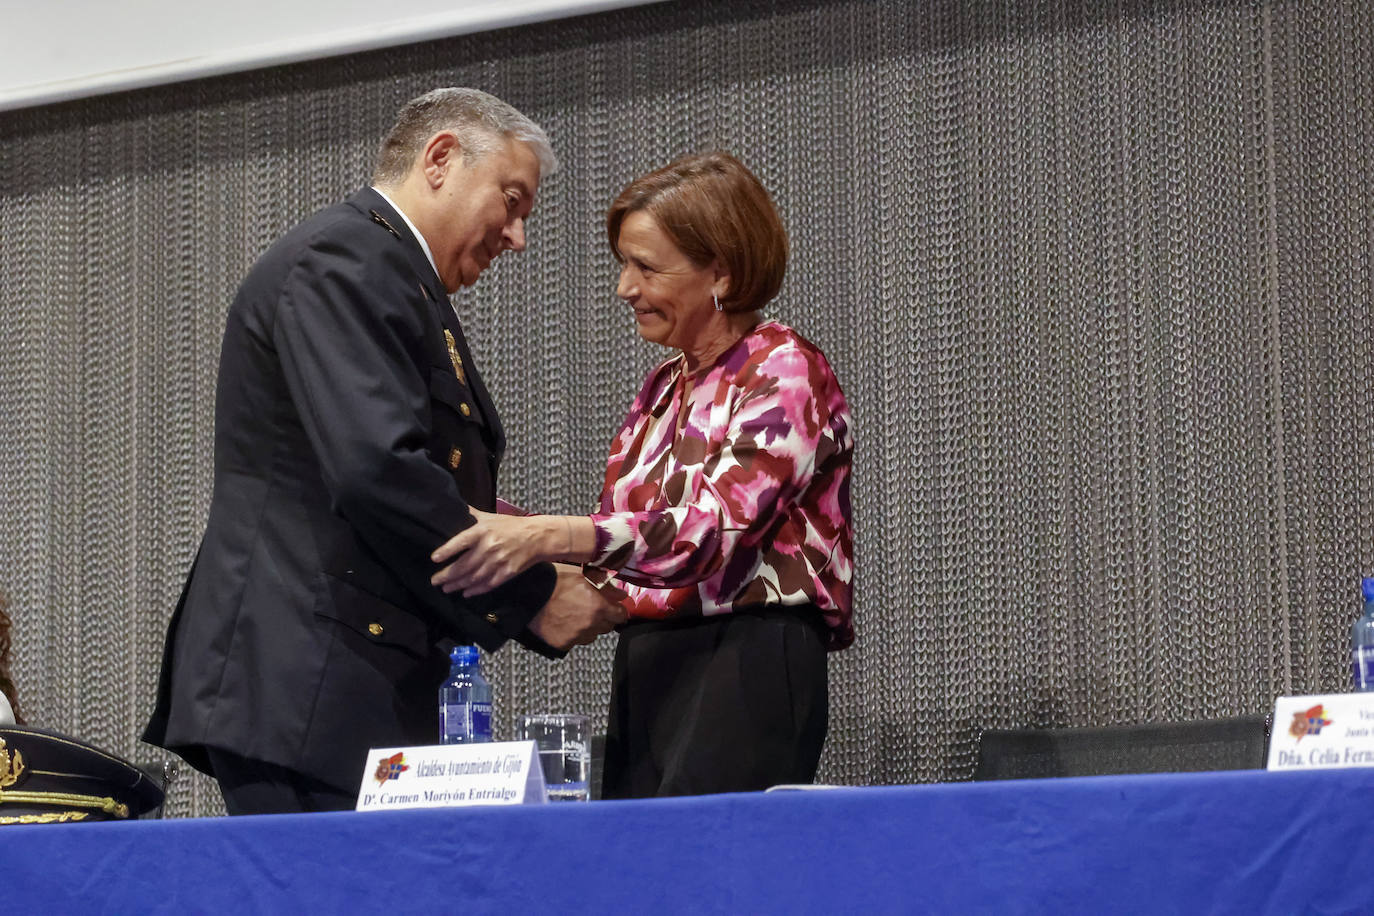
pixel 1240 843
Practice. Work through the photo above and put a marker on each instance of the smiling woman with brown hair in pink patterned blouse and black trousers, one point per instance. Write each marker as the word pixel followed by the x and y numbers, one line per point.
pixel 725 524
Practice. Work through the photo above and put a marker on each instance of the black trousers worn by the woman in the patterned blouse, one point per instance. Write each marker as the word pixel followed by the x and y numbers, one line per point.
pixel 728 704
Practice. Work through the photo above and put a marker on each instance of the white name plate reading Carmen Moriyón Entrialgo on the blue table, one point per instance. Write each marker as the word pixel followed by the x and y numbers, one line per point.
pixel 451 775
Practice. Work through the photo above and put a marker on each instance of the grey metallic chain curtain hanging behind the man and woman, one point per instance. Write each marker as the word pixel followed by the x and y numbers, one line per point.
pixel 1096 278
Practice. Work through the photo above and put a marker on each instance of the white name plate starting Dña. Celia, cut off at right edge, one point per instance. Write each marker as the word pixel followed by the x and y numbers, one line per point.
pixel 1322 733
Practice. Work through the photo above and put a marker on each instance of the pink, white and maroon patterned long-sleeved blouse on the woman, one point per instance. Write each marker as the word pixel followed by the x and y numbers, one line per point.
pixel 750 505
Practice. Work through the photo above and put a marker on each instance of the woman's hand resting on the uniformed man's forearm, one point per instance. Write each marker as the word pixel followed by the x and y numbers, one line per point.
pixel 491 551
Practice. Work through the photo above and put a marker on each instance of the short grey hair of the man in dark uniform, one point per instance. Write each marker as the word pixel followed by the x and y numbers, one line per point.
pixel 480 122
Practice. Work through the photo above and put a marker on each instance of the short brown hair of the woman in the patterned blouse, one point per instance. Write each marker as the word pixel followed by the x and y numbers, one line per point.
pixel 714 209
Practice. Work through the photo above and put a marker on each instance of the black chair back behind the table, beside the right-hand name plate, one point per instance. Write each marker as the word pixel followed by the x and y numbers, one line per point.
pixel 1160 748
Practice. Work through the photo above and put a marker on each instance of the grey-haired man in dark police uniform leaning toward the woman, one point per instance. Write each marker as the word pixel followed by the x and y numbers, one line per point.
pixel 352 432
